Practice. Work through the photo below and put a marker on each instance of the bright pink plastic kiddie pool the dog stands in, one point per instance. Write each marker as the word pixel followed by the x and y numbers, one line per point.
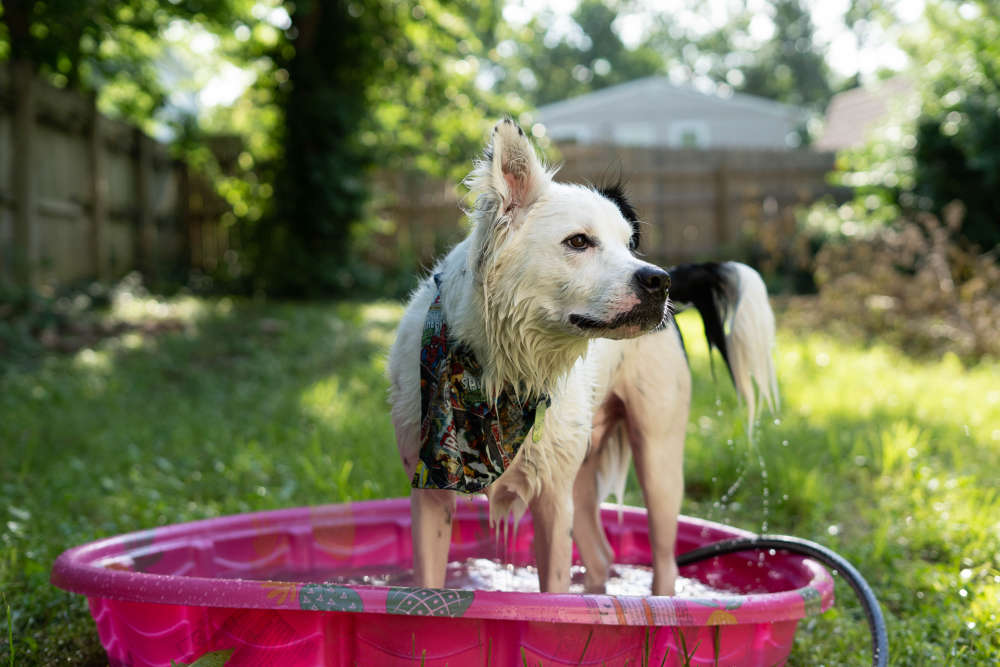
pixel 267 589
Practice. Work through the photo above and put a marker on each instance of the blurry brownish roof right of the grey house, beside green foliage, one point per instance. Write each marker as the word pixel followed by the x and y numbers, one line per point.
pixel 852 114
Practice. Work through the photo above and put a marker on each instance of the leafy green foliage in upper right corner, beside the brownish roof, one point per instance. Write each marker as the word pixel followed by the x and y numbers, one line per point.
pixel 944 144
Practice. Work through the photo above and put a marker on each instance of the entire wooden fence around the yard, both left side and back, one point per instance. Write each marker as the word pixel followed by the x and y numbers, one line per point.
pixel 83 196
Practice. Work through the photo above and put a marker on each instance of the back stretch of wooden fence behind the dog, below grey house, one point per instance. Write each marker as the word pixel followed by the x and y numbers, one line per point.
pixel 697 204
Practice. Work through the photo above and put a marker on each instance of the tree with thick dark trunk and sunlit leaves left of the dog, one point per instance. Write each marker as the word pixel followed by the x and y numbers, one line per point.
pixel 374 83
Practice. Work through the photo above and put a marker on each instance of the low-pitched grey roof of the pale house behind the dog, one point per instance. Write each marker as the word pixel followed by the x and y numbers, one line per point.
pixel 661 85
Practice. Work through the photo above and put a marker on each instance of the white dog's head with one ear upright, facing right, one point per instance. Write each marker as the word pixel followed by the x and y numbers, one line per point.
pixel 558 258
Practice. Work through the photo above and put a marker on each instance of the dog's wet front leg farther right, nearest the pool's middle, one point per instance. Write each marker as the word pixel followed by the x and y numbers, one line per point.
pixel 552 516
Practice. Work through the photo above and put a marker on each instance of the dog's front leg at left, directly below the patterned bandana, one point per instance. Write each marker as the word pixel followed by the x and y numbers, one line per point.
pixel 431 511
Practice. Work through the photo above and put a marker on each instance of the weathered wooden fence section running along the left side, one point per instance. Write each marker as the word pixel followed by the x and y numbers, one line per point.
pixel 83 196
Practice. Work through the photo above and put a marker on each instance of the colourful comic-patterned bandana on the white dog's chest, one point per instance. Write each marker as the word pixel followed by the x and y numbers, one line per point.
pixel 467 442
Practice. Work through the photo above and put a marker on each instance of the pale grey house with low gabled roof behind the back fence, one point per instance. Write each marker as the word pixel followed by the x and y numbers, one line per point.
pixel 653 112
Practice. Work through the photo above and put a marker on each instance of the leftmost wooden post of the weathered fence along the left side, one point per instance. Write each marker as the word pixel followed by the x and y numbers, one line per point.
pixel 22 171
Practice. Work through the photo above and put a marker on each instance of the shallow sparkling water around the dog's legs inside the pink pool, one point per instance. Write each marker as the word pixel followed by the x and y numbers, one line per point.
pixel 484 574
